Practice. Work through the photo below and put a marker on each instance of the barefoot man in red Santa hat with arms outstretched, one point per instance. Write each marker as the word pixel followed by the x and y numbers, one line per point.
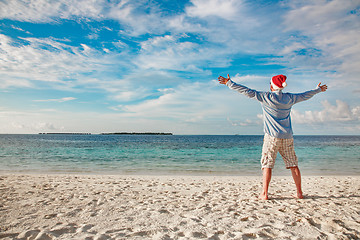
pixel 277 126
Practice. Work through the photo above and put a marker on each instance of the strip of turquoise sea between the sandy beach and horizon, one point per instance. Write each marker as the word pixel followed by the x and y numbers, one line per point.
pixel 171 154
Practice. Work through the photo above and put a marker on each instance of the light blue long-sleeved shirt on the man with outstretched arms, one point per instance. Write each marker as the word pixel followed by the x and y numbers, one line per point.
pixel 276 107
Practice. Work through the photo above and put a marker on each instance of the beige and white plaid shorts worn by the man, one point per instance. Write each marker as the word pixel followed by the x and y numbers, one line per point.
pixel 272 146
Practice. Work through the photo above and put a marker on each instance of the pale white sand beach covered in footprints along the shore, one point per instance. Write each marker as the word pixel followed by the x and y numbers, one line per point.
pixel 176 207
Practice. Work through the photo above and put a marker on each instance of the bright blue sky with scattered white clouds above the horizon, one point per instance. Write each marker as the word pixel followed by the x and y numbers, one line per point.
pixel 101 66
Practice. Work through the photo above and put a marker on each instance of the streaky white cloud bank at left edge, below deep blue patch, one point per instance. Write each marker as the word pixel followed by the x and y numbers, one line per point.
pixel 26 63
